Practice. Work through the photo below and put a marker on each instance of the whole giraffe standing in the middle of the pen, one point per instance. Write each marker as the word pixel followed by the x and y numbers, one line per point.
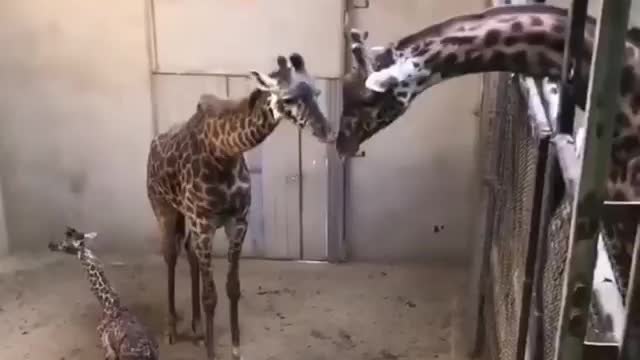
pixel 198 181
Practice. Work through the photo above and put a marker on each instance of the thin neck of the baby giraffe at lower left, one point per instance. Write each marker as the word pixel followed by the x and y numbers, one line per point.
pixel 100 286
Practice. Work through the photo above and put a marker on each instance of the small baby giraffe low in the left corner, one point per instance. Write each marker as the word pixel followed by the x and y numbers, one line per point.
pixel 123 336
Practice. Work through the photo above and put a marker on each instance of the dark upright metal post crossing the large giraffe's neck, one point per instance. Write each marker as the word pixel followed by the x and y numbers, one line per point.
pixel 573 46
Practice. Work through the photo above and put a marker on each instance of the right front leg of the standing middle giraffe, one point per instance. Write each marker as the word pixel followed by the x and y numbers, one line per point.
pixel 236 231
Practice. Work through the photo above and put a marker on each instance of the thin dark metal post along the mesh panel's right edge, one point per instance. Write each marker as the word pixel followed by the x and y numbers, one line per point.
pixel 532 249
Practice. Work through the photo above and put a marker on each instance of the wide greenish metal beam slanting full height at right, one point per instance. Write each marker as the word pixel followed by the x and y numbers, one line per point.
pixel 602 105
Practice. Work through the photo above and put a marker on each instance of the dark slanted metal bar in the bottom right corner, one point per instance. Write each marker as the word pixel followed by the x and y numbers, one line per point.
pixel 630 347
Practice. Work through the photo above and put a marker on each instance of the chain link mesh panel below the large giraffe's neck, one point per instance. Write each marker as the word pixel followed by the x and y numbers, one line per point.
pixel 510 158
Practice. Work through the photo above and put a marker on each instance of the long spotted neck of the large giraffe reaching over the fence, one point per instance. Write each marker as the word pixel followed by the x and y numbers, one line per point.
pixel 525 39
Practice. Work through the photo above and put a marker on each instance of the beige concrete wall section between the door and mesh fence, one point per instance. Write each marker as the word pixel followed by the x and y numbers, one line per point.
pixel 412 197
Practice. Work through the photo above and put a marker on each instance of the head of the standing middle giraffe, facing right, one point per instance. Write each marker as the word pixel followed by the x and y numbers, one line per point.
pixel 294 96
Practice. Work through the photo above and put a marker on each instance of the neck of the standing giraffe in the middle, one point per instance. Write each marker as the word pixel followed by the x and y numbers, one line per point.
pixel 242 126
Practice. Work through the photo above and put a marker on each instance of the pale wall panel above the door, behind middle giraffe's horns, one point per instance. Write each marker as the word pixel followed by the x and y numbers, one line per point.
pixel 247 35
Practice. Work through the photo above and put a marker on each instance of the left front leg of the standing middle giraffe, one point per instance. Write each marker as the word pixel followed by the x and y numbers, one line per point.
pixel 202 247
